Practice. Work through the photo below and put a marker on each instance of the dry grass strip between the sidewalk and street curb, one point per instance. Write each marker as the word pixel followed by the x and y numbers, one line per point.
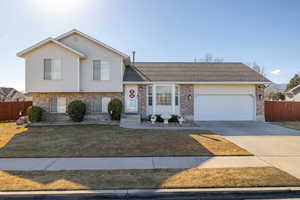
pixel 158 178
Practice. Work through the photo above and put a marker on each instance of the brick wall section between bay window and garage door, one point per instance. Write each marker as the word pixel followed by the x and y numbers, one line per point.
pixel 187 101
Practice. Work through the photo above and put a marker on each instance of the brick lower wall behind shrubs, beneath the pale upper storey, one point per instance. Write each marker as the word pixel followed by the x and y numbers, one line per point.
pixel 43 100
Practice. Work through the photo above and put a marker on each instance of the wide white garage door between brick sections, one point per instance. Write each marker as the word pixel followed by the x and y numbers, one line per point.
pixel 224 107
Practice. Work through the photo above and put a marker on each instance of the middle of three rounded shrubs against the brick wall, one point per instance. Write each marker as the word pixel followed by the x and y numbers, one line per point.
pixel 76 110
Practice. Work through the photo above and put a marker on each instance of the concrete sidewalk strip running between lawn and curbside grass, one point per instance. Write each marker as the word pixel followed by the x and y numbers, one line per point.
pixel 55 164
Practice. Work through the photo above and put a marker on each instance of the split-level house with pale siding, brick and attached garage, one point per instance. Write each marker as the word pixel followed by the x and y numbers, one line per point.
pixel 76 66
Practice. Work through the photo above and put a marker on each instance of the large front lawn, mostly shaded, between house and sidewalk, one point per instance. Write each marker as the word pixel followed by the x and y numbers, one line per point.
pixel 110 141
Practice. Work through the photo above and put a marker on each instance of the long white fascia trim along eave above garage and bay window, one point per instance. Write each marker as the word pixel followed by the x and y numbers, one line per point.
pixel 195 82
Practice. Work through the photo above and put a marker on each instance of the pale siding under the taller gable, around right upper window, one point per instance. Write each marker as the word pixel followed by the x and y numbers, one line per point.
pixel 94 51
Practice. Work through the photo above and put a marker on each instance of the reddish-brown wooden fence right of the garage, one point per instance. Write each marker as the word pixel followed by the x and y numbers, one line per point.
pixel 282 111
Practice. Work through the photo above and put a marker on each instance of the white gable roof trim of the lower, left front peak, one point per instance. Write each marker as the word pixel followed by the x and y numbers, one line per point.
pixel 43 42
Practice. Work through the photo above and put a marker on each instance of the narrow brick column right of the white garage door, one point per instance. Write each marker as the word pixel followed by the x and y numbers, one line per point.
pixel 260 109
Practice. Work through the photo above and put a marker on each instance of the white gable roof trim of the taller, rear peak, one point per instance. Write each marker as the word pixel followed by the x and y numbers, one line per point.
pixel 92 39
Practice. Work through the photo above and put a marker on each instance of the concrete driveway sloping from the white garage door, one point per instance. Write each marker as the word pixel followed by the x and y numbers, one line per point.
pixel 273 144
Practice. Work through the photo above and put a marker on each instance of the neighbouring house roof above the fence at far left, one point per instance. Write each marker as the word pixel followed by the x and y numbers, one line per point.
pixel 11 94
